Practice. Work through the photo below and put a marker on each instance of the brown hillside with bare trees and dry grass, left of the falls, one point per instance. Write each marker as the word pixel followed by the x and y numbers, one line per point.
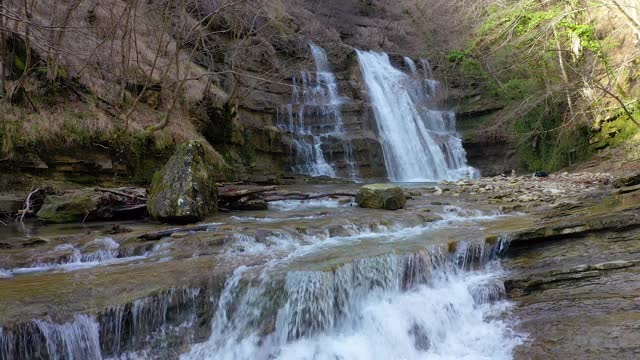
pixel 123 77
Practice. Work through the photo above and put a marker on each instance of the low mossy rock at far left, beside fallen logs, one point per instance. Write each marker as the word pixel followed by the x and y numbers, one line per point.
pixel 75 206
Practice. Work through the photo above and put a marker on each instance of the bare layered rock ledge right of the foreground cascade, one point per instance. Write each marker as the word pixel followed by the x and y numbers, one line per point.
pixel 575 281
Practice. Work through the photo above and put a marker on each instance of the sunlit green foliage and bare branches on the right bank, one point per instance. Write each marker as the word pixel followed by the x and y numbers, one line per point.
pixel 565 71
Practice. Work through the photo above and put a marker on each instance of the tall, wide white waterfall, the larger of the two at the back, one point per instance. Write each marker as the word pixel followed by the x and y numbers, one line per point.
pixel 420 143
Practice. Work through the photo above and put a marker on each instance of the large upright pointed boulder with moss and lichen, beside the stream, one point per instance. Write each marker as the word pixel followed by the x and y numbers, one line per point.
pixel 184 190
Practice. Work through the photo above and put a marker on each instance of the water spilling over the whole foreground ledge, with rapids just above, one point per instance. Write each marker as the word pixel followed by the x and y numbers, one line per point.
pixel 369 291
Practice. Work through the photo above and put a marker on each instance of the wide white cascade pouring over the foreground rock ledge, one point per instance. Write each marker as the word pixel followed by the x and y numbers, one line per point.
pixel 426 305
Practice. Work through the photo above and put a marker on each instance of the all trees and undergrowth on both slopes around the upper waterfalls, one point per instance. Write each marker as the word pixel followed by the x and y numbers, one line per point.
pixel 135 78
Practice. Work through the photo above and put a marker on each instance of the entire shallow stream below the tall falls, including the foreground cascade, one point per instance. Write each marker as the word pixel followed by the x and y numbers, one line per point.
pixel 318 279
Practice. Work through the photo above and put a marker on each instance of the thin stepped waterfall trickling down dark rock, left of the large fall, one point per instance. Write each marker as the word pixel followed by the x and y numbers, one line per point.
pixel 314 117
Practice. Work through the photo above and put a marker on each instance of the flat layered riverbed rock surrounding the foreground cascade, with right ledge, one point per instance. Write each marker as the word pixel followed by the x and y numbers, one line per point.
pixel 569 248
